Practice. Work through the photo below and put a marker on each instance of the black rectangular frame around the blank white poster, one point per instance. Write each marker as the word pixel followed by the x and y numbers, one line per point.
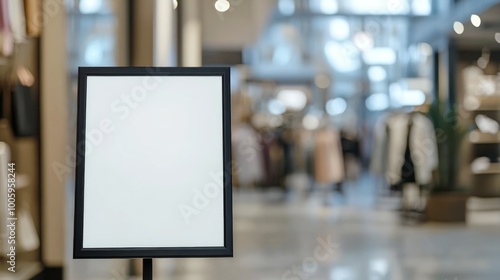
pixel 79 252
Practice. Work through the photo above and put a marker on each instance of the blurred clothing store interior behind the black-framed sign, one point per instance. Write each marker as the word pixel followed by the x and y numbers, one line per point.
pixel 368 128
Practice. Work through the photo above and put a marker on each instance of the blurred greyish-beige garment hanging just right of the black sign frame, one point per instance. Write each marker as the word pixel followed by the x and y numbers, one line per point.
pixel 247 155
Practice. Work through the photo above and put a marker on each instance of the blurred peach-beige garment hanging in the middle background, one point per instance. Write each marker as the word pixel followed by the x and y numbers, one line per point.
pixel 328 160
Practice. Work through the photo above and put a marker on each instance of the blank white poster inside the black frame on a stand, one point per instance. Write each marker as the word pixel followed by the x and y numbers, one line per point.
pixel 153 162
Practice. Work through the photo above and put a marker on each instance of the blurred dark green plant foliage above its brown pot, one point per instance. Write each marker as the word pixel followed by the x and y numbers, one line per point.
pixel 450 133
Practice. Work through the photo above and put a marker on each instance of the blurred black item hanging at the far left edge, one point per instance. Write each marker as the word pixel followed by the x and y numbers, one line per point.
pixel 24 122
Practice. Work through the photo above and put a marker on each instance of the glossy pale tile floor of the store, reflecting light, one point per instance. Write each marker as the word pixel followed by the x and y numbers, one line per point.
pixel 358 236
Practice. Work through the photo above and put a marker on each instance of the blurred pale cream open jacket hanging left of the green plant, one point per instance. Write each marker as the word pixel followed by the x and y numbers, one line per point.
pixel 422 148
